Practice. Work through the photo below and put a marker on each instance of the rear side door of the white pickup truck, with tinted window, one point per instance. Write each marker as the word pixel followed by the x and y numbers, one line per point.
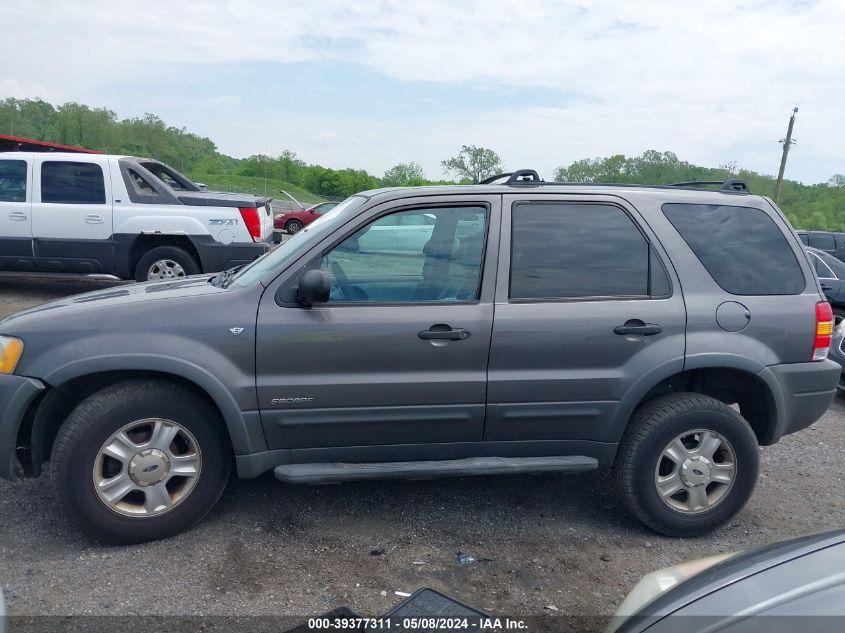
pixel 72 215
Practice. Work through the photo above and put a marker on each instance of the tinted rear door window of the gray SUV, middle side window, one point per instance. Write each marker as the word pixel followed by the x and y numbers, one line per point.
pixel 580 250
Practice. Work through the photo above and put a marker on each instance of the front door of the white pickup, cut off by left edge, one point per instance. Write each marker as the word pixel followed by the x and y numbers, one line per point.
pixel 16 214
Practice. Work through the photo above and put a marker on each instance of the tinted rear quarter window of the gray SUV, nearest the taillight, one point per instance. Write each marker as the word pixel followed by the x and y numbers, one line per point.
pixel 742 248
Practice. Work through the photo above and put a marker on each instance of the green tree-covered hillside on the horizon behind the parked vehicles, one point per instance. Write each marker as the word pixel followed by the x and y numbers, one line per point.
pixel 820 206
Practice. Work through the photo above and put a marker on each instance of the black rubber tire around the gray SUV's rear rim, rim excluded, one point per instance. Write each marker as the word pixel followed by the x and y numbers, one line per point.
pixel 653 426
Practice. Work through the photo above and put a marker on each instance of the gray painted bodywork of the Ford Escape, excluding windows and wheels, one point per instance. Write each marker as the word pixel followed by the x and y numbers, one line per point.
pixel 356 383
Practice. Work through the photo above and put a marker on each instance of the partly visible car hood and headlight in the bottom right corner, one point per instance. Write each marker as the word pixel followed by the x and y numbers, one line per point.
pixel 779 587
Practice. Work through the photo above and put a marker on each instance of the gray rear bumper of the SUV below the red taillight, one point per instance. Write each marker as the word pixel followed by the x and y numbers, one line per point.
pixel 805 392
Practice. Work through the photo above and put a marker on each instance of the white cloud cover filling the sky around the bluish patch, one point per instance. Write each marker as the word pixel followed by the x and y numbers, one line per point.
pixel 695 78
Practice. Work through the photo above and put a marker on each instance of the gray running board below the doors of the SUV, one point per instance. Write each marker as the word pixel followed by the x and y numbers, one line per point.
pixel 331 472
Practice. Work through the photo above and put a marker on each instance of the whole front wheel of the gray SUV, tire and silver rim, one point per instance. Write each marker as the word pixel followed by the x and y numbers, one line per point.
pixel 77 461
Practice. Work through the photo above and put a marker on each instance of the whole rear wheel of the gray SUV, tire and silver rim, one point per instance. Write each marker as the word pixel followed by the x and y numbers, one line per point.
pixel 645 458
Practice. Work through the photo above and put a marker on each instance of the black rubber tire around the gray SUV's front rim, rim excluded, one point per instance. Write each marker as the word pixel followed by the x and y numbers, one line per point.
pixel 93 422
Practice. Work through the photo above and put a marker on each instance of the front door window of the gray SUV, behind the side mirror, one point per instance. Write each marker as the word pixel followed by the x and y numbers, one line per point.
pixel 411 256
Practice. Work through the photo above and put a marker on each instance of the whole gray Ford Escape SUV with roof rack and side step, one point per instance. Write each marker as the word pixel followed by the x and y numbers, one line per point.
pixel 665 332
